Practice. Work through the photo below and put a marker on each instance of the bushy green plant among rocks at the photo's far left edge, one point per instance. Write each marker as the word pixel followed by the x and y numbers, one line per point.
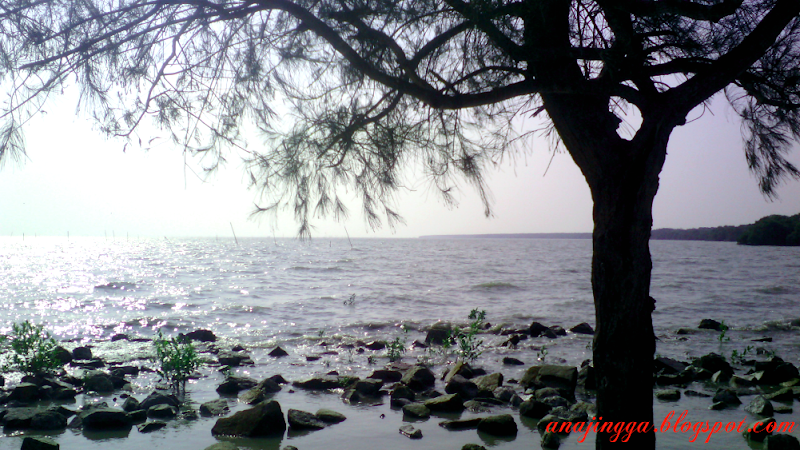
pixel 33 350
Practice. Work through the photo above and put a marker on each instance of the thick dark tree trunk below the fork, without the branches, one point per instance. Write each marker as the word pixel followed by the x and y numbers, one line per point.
pixel 624 343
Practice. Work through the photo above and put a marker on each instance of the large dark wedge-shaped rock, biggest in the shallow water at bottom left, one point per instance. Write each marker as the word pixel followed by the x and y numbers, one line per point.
pixel 264 419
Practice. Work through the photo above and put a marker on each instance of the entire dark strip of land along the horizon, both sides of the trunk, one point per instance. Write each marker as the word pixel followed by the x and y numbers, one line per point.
pixel 770 230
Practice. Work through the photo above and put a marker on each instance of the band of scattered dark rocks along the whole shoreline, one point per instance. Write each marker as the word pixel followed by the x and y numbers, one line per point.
pixel 498 404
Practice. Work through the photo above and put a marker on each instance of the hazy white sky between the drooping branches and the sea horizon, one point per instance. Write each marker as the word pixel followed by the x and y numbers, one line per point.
pixel 77 181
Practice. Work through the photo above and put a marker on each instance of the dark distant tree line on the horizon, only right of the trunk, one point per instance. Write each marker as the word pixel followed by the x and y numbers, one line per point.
pixel 770 230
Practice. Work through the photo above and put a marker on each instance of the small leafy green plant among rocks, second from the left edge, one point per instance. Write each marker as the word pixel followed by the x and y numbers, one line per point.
pixel 177 359
